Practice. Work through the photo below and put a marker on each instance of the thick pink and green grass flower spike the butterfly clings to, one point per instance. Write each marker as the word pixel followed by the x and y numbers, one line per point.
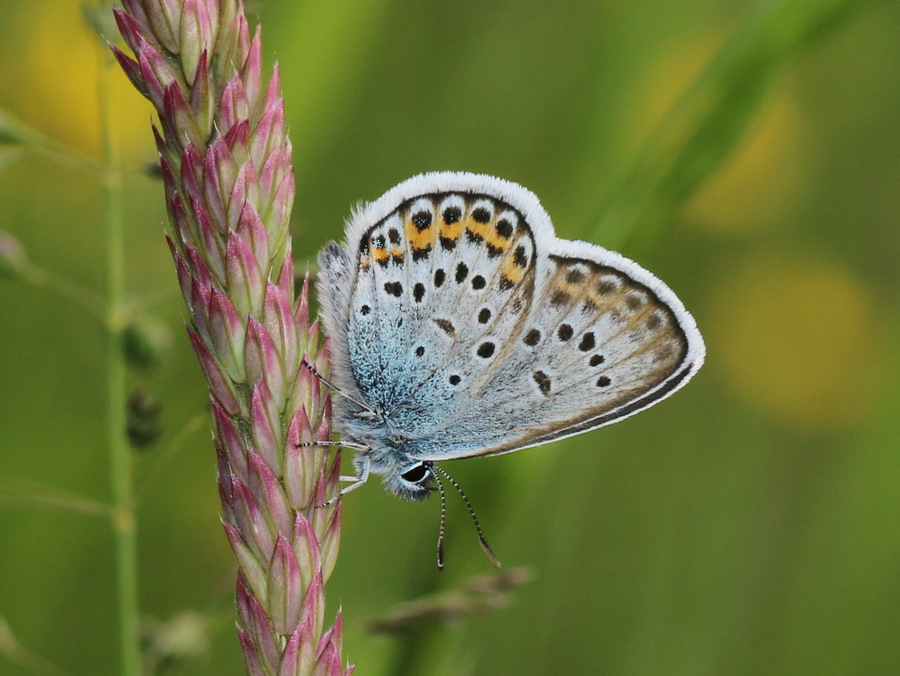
pixel 229 186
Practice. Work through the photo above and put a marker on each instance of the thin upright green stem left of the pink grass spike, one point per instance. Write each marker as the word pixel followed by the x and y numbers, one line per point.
pixel 123 522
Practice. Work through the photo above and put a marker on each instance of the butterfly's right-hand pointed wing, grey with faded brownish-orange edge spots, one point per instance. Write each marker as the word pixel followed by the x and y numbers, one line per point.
pixel 598 345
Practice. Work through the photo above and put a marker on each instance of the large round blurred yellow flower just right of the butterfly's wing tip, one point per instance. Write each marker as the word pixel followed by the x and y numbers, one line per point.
pixel 796 335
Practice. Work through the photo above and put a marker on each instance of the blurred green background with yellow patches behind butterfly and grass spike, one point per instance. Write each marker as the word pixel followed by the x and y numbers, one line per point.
pixel 748 525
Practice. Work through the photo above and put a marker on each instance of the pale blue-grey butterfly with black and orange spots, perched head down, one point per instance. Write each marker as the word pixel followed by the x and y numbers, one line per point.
pixel 462 326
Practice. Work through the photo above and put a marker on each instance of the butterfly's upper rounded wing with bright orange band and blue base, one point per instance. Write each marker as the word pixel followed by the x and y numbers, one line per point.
pixel 442 283
